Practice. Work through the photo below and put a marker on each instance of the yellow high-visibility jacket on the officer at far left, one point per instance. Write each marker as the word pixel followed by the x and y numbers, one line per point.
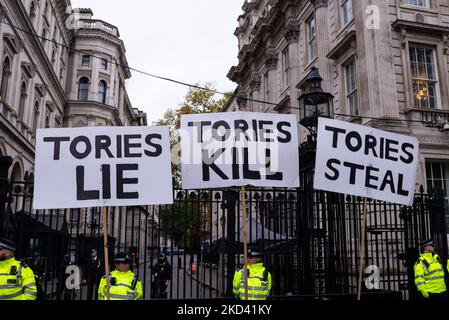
pixel 16 281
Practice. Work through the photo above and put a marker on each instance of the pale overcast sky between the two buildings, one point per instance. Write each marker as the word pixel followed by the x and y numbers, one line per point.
pixel 189 40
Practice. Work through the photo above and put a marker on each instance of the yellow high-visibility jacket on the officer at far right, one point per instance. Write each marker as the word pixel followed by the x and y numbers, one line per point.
pixel 429 274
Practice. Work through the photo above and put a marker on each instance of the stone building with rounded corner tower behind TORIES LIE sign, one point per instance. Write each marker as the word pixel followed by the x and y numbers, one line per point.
pixel 71 73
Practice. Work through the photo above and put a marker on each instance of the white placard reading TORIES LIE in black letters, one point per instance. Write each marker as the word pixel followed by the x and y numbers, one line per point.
pixel 102 166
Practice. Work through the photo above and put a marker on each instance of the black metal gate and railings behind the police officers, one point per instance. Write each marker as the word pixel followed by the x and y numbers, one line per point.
pixel 311 240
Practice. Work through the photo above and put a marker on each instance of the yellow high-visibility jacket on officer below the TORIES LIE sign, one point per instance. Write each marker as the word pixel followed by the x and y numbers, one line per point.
pixel 124 286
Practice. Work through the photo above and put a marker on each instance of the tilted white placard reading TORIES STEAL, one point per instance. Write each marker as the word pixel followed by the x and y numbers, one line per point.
pixel 367 162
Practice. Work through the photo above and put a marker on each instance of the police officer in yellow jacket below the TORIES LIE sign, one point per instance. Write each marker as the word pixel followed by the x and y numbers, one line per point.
pixel 124 283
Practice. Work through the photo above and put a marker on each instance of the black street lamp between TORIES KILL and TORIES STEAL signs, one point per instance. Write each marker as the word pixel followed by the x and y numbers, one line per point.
pixel 315 103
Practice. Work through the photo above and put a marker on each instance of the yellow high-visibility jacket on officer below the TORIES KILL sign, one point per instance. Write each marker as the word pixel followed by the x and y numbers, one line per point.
pixel 259 282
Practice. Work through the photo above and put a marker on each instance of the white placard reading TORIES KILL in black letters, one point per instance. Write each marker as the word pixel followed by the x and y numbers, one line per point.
pixel 239 148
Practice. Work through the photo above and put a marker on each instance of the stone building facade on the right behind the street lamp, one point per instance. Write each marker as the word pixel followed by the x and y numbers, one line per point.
pixel 385 62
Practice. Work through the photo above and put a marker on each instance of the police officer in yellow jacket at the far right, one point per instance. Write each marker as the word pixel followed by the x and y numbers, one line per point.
pixel 429 273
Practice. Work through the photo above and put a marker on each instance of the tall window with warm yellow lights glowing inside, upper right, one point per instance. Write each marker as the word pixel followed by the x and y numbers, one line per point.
pixel 424 77
